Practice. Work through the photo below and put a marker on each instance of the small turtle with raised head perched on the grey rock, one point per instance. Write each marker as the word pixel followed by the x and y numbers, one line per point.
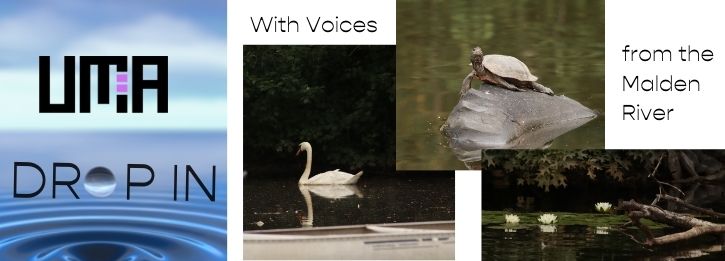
pixel 502 70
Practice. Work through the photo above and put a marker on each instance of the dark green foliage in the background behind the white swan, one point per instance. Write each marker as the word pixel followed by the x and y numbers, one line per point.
pixel 339 98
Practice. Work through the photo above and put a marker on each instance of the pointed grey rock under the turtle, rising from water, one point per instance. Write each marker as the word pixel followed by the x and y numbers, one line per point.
pixel 497 118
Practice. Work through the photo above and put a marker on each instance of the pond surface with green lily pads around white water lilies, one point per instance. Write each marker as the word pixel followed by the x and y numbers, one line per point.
pixel 582 236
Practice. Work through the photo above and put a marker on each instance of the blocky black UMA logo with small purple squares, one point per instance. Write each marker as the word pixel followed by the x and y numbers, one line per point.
pixel 138 83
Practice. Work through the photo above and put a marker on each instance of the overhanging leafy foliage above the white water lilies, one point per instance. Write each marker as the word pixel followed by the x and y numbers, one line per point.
pixel 547 168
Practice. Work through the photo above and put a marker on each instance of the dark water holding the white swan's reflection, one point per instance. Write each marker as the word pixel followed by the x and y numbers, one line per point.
pixel 278 202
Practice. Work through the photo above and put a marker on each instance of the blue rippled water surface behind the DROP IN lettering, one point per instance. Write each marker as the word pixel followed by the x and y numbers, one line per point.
pixel 149 226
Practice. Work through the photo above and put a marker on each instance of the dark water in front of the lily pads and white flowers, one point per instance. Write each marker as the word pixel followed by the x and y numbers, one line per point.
pixel 581 242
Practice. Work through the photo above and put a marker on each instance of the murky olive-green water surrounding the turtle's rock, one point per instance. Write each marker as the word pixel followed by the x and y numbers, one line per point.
pixel 562 42
